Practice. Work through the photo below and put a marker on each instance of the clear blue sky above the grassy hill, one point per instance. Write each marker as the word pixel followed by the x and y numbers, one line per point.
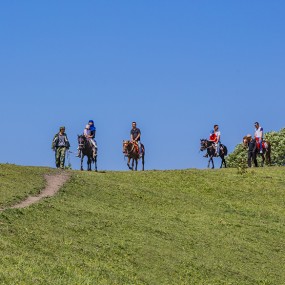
pixel 175 67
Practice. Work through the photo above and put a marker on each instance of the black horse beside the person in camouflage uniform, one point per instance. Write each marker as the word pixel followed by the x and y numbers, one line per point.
pixel 86 149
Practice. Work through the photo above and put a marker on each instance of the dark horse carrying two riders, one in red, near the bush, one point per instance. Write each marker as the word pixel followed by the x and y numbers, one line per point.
pixel 211 150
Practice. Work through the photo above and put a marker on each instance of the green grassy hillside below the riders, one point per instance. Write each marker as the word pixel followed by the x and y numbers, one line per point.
pixel 153 227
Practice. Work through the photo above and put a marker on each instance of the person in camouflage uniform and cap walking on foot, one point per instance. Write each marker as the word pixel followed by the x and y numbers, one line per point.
pixel 60 144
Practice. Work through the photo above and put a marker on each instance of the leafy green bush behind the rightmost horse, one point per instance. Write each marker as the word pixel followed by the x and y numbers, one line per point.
pixel 277 141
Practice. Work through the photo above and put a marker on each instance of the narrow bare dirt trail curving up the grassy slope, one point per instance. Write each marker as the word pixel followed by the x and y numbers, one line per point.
pixel 54 182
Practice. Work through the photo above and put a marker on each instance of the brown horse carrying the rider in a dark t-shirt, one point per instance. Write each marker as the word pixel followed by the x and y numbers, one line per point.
pixel 131 151
